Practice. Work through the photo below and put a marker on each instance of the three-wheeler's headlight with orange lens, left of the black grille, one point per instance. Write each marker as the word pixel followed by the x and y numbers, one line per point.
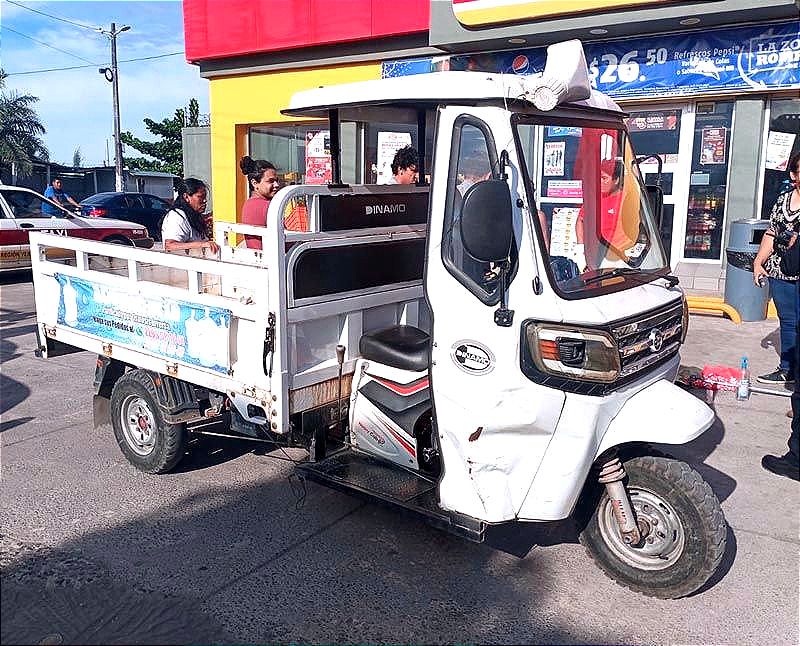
pixel 575 353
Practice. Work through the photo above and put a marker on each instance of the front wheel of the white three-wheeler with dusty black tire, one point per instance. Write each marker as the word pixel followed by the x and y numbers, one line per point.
pixel 688 537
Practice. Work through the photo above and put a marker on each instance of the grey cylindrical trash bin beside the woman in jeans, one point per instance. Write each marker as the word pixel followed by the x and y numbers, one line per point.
pixel 740 291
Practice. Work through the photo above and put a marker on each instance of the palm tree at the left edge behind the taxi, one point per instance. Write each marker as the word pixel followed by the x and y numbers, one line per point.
pixel 20 130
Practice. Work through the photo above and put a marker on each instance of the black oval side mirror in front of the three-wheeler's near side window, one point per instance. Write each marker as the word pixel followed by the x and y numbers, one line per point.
pixel 487 227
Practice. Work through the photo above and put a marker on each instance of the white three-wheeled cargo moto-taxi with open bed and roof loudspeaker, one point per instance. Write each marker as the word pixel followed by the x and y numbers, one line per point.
pixel 496 344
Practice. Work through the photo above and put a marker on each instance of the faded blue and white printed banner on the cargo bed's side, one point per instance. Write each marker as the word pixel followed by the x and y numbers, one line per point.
pixel 172 329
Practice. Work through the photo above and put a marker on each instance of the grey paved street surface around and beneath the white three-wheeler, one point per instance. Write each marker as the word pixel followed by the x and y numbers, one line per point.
pixel 233 548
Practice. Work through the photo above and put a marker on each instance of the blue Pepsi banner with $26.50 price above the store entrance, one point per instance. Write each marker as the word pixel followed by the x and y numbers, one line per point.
pixel 725 60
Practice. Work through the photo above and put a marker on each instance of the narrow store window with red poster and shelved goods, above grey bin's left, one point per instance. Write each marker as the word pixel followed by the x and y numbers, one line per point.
pixel 708 182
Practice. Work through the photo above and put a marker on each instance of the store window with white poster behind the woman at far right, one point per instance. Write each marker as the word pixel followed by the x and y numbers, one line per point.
pixel 783 141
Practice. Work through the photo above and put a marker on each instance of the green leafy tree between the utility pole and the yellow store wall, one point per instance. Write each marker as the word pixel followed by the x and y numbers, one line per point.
pixel 166 154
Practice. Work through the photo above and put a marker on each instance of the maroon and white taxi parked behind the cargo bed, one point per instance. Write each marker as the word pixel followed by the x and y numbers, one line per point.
pixel 21 212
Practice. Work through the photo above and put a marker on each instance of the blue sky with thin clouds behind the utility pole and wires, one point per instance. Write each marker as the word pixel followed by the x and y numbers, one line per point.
pixel 76 105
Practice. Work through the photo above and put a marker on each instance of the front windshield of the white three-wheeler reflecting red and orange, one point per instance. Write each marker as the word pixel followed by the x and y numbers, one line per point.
pixel 597 225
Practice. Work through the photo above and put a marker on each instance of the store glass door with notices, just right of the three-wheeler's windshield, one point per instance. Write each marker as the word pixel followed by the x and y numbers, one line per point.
pixel 657 133
